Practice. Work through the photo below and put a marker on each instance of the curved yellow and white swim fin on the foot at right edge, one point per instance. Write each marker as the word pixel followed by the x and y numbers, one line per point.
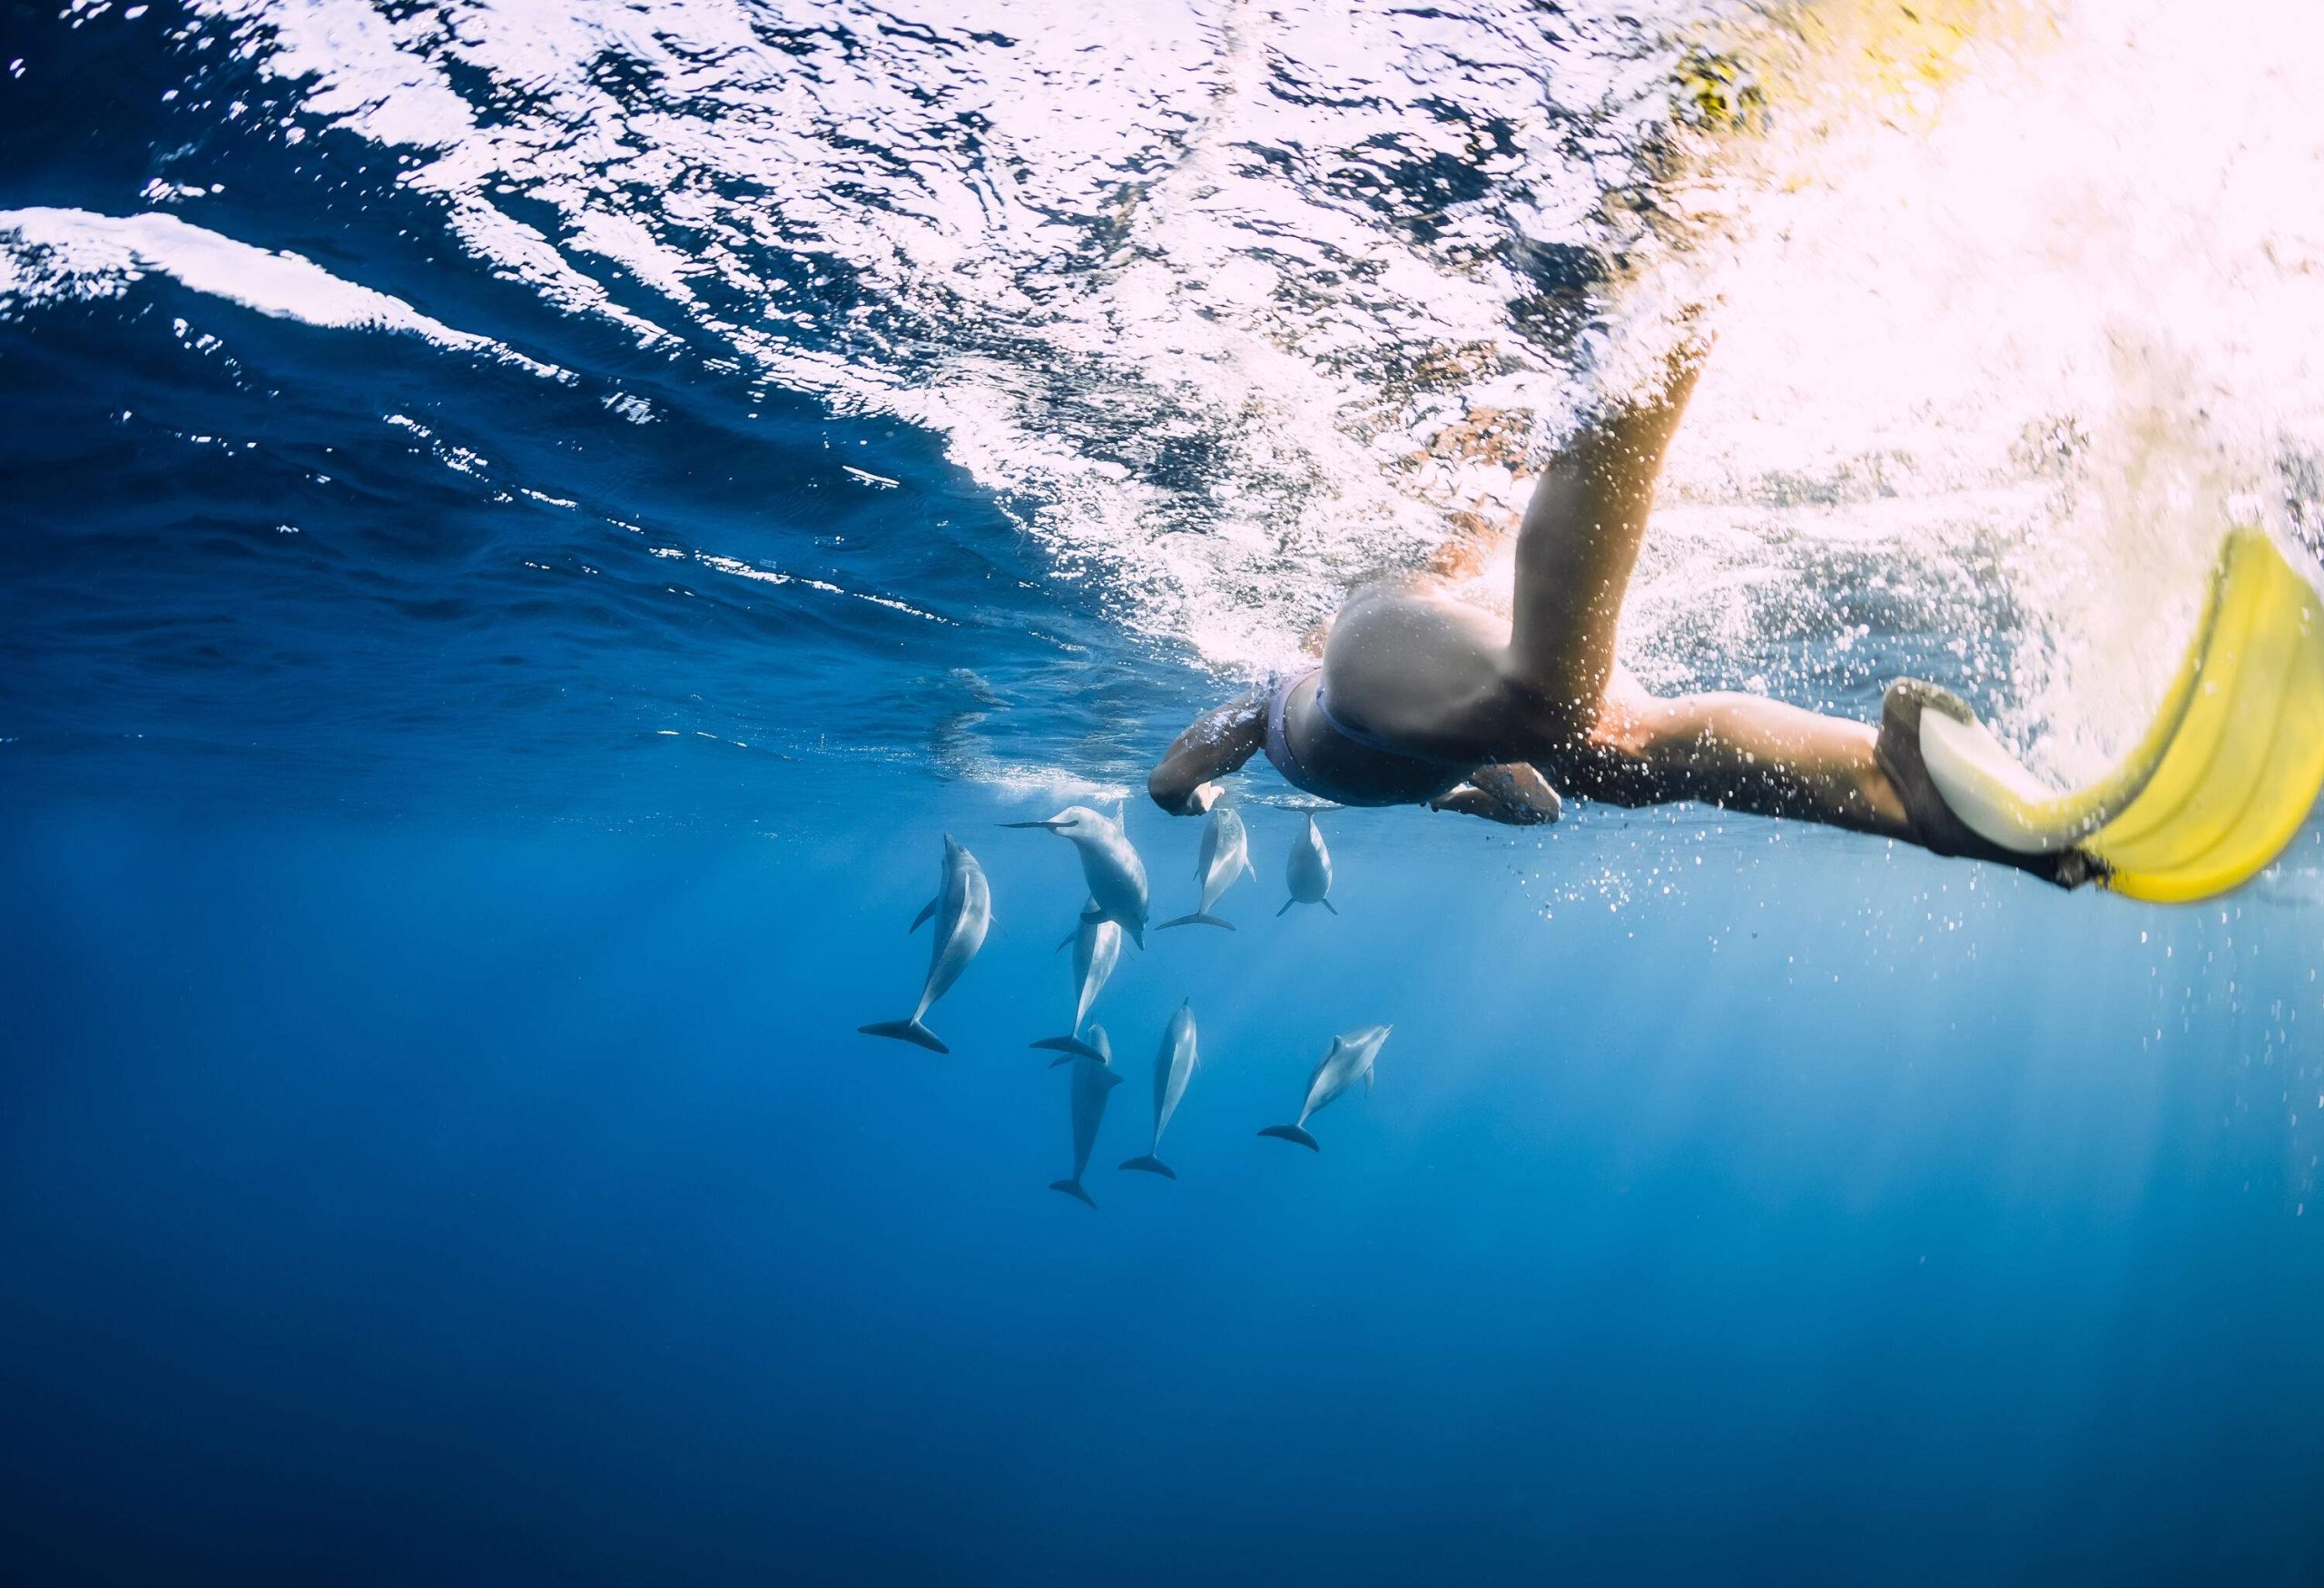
pixel 2225 773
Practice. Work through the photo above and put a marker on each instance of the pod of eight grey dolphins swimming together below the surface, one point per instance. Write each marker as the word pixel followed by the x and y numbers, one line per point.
pixel 1117 908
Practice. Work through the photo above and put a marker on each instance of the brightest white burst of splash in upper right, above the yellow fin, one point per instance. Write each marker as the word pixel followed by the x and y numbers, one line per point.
pixel 2037 285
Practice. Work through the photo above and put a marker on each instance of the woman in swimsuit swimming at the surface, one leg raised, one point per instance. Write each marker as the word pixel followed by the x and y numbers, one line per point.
pixel 1426 699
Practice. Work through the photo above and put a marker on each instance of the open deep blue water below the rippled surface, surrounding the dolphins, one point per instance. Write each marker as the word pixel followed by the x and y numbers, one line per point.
pixel 457 1201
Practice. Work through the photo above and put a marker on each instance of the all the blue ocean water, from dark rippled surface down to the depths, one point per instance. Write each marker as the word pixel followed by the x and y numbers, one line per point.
pixel 452 831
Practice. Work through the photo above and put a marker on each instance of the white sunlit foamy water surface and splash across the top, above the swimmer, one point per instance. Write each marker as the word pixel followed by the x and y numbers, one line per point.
pixel 1235 306
